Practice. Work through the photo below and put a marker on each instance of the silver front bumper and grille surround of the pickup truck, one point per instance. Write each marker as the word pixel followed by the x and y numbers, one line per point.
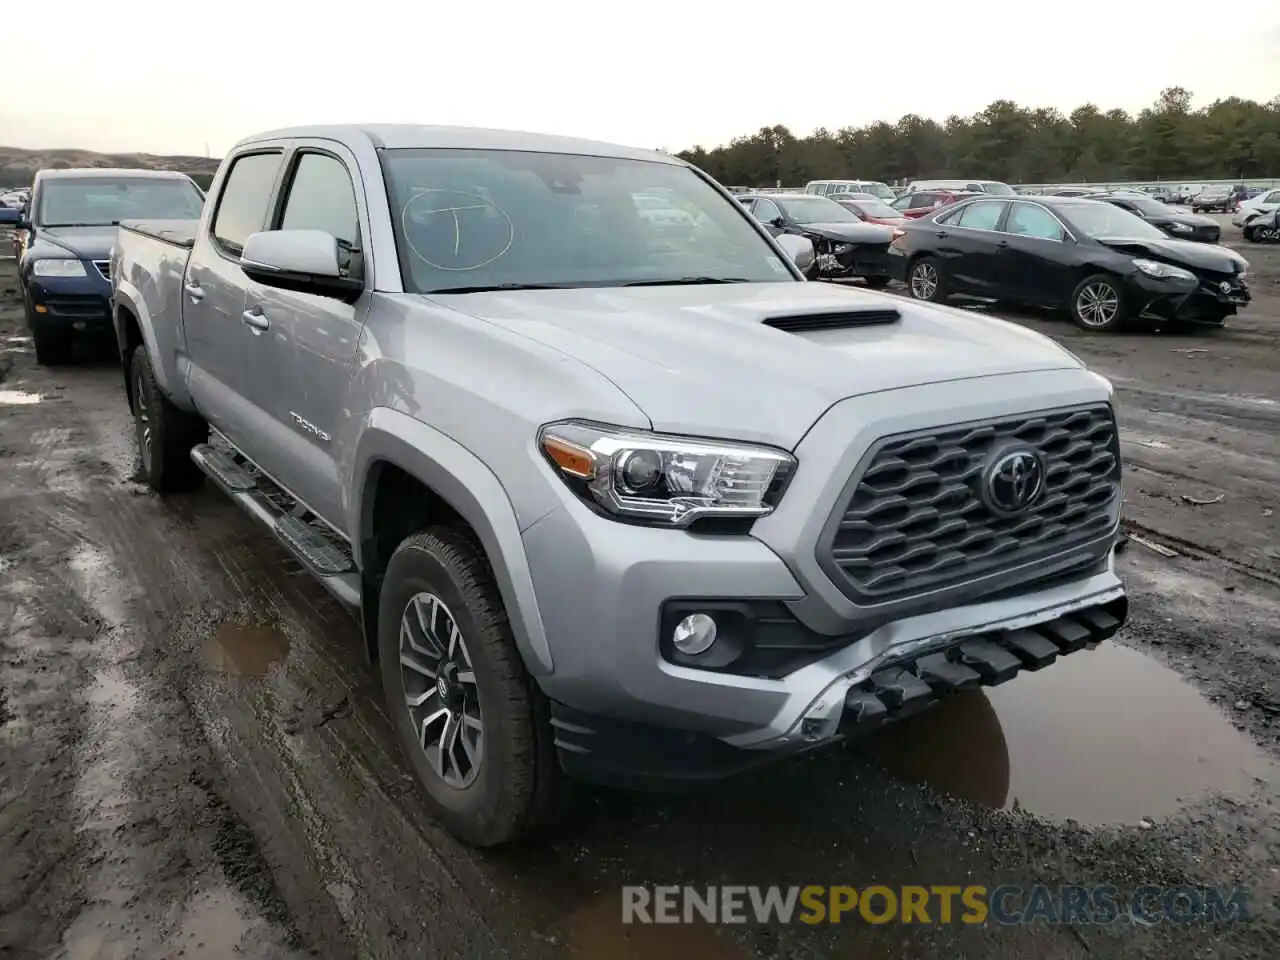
pixel 604 588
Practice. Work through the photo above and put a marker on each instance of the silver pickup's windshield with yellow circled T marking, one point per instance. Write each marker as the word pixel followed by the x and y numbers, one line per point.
pixel 486 220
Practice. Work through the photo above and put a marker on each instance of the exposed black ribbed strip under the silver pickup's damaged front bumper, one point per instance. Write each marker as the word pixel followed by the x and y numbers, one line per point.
pixel 988 660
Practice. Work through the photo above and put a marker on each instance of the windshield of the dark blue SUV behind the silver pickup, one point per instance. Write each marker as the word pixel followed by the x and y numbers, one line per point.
pixel 92 202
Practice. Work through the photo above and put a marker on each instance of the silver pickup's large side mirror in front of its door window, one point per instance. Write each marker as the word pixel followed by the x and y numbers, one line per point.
pixel 305 262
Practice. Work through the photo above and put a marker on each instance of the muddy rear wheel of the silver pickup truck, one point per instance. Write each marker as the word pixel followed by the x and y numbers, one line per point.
pixel 164 452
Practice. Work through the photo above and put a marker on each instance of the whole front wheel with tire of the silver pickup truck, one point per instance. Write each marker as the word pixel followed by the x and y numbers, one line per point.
pixel 469 717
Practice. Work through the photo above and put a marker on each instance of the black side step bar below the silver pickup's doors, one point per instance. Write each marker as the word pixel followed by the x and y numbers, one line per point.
pixel 318 548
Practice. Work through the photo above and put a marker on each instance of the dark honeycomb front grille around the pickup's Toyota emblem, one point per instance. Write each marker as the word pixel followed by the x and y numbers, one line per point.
pixel 916 520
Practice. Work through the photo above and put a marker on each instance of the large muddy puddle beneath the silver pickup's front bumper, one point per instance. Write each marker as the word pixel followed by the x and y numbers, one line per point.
pixel 1104 737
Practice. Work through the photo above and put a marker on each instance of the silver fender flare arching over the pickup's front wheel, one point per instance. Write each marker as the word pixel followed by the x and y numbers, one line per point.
pixel 470 488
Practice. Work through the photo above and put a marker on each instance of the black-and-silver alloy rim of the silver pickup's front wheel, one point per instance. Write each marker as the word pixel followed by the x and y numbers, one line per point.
pixel 441 692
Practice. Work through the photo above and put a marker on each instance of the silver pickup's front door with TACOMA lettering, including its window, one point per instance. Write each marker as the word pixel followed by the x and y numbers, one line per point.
pixel 304 351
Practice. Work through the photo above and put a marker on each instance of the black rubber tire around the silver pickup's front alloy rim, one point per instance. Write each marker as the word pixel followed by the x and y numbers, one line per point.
pixel 518 788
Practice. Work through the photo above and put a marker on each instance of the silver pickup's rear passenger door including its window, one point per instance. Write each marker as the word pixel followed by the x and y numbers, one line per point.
pixel 213 296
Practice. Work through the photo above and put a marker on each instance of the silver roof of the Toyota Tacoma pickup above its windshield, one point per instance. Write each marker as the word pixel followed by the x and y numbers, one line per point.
pixel 400 136
